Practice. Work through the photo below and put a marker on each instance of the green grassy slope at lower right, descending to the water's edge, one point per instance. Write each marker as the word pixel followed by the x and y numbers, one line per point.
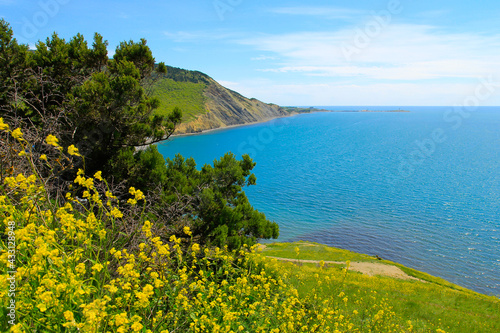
pixel 429 305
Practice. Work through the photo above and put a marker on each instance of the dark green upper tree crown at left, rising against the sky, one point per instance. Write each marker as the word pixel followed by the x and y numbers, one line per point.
pixel 78 94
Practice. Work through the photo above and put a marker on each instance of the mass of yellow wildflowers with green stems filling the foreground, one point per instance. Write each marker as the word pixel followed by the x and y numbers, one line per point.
pixel 77 273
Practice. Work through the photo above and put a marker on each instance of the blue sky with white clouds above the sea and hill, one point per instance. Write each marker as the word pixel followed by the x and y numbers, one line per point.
pixel 387 52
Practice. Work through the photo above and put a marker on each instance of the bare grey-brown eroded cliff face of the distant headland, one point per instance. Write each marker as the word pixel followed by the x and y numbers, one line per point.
pixel 227 108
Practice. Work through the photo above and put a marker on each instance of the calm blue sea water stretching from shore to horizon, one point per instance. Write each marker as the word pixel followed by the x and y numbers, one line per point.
pixel 420 188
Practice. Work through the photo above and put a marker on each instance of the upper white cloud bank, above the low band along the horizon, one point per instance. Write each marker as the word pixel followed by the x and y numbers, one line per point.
pixel 399 52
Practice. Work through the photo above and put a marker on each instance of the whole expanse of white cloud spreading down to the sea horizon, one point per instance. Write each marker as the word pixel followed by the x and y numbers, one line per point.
pixel 403 64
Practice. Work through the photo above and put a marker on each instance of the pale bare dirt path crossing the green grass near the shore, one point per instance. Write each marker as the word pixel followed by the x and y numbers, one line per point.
pixel 368 268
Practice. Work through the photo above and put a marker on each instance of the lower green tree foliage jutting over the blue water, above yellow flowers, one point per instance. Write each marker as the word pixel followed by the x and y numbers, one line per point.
pixel 212 199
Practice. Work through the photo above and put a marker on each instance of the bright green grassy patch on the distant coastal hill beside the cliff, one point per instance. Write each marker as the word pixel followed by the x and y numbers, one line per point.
pixel 188 96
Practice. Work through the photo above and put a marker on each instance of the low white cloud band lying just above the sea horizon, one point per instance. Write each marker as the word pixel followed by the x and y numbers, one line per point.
pixel 436 94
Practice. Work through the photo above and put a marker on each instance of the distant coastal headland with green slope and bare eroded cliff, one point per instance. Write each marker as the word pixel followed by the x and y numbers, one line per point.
pixel 206 104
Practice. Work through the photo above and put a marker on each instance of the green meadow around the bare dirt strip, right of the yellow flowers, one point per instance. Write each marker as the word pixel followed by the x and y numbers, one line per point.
pixel 425 304
